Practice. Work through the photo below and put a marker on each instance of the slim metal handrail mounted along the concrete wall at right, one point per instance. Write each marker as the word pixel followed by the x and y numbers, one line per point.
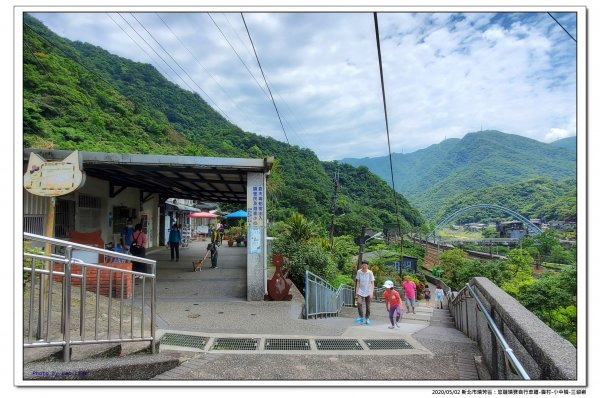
pixel 509 356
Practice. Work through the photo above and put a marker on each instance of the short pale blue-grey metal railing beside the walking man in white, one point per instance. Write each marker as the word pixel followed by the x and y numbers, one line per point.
pixel 322 300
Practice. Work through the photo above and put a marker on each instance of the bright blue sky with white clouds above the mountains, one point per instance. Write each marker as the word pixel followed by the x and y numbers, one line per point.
pixel 446 74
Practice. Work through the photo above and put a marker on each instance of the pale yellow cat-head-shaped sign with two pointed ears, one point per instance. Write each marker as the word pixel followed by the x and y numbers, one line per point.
pixel 53 178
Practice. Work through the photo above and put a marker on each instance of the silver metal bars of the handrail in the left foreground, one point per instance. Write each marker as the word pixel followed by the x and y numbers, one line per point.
pixel 46 276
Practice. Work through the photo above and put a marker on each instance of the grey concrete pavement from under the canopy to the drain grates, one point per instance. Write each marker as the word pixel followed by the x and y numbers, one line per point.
pixel 211 304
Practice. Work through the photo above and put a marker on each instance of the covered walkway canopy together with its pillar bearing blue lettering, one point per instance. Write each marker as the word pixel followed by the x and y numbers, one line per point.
pixel 159 177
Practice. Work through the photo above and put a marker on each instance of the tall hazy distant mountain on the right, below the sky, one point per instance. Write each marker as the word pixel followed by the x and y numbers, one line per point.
pixel 431 176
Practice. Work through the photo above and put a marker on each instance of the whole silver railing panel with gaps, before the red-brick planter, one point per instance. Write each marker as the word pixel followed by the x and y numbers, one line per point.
pixel 54 277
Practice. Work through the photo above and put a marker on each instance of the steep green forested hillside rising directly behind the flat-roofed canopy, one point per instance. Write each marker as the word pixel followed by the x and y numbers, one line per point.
pixel 78 96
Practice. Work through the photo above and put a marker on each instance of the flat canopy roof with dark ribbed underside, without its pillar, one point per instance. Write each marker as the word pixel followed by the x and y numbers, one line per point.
pixel 186 177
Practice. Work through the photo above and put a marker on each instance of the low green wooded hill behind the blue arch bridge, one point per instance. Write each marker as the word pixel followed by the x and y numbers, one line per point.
pixel 540 198
